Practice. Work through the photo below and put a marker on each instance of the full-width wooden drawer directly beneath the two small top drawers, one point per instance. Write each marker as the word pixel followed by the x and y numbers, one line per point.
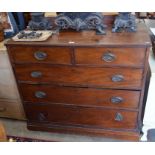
pixel 81 76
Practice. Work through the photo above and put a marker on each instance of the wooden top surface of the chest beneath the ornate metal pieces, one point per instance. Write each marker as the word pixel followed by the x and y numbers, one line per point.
pixel 89 38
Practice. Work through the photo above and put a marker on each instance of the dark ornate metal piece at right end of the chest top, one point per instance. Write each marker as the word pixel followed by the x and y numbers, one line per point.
pixel 124 21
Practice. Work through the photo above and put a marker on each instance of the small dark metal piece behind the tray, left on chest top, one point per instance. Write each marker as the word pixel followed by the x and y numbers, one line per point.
pixel 39 22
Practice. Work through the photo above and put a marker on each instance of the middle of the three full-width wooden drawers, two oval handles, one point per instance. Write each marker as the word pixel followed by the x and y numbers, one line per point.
pixel 80 96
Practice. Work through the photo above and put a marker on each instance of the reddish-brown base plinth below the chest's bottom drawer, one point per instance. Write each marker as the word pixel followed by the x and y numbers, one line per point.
pixel 125 135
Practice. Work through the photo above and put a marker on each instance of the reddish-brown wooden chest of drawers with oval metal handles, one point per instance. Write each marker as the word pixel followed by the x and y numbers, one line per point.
pixel 79 82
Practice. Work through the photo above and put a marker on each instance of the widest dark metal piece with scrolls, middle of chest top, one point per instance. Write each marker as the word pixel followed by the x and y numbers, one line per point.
pixel 81 21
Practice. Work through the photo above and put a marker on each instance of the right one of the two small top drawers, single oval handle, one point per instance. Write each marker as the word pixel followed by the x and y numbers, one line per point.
pixel 110 56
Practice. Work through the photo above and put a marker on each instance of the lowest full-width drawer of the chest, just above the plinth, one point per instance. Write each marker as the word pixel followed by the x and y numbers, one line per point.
pixel 71 115
